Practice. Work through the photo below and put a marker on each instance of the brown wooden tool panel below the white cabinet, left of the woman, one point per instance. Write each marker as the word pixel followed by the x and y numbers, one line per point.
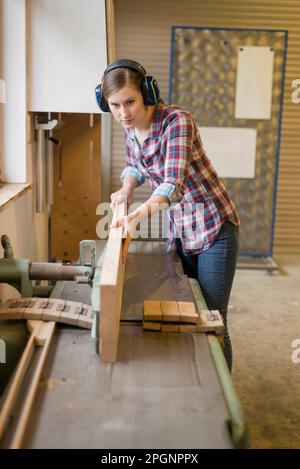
pixel 77 185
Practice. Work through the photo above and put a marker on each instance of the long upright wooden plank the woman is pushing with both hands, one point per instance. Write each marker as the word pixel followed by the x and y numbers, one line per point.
pixel 111 292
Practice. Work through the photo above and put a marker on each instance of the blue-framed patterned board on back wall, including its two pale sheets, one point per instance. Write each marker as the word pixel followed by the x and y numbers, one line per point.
pixel 206 64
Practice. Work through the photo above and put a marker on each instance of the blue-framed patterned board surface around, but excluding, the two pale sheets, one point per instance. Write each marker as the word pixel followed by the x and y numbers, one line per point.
pixel 202 81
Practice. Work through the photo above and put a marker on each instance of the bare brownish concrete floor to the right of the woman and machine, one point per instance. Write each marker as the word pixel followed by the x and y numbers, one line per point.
pixel 264 320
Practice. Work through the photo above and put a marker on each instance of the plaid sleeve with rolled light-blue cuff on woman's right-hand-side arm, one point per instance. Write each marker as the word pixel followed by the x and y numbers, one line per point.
pixel 178 155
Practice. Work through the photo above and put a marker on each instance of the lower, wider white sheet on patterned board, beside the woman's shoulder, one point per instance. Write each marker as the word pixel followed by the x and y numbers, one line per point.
pixel 232 150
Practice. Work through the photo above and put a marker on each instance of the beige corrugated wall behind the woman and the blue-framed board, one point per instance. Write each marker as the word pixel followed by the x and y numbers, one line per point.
pixel 143 33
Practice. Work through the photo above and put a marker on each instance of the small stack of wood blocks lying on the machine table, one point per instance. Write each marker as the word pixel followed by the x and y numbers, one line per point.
pixel 180 316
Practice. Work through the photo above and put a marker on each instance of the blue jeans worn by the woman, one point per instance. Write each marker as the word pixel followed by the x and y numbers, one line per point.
pixel 214 269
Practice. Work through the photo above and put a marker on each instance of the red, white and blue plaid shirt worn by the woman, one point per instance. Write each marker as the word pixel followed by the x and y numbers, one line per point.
pixel 172 158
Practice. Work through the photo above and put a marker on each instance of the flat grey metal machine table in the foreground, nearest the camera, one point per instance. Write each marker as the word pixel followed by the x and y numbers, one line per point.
pixel 162 393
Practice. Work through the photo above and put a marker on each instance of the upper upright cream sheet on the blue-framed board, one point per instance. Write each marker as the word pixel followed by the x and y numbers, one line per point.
pixel 254 82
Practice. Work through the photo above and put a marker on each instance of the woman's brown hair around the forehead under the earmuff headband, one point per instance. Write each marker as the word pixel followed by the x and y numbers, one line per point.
pixel 119 77
